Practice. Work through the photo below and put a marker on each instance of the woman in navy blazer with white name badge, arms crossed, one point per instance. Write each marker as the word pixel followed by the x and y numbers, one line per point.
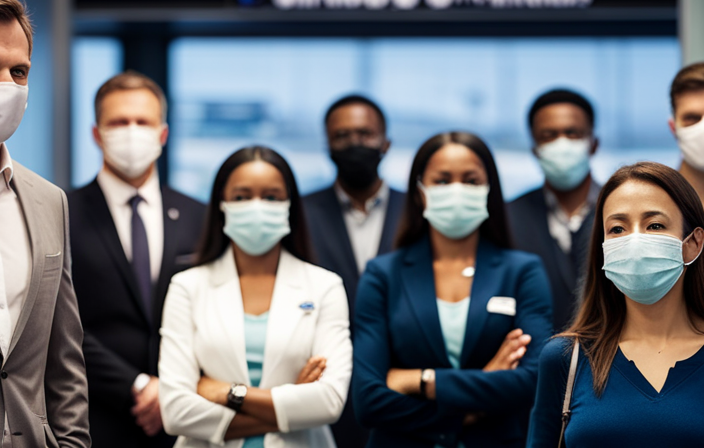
pixel 433 367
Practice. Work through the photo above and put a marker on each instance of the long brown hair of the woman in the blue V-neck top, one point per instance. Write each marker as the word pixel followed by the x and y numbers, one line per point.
pixel 603 312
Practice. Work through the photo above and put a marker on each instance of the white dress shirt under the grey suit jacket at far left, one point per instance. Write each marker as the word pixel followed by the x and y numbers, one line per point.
pixel 15 254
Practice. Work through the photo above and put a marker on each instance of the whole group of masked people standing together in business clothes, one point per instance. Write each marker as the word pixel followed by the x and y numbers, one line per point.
pixel 131 315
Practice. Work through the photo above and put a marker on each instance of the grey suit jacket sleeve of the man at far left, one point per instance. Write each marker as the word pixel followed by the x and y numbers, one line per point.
pixel 65 382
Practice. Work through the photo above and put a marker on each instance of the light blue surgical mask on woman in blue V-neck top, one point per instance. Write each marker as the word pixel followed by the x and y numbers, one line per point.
pixel 644 266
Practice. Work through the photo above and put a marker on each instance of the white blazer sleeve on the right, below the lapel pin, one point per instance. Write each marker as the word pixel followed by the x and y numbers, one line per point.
pixel 309 405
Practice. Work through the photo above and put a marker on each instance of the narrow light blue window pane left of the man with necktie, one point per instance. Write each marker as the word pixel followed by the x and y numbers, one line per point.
pixel 94 61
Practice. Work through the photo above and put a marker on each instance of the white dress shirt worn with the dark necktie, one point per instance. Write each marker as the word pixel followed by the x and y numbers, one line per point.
pixel 118 194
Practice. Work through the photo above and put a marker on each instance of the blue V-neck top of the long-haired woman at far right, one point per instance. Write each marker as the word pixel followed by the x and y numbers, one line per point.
pixel 630 412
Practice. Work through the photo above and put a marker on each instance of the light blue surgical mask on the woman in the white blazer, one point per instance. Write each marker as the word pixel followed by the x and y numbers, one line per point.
pixel 256 226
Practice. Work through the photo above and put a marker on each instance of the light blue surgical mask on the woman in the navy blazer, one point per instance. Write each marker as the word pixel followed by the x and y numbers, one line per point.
pixel 455 210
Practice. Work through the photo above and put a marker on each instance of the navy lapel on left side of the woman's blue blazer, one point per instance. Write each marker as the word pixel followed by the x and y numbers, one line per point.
pixel 419 286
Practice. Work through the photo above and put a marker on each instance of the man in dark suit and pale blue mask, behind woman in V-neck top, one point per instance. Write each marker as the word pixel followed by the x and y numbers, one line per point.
pixel 555 220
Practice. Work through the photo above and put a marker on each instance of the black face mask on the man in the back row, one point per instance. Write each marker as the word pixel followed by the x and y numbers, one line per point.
pixel 356 165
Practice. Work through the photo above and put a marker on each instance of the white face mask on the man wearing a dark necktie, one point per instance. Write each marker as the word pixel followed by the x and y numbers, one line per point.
pixel 132 149
